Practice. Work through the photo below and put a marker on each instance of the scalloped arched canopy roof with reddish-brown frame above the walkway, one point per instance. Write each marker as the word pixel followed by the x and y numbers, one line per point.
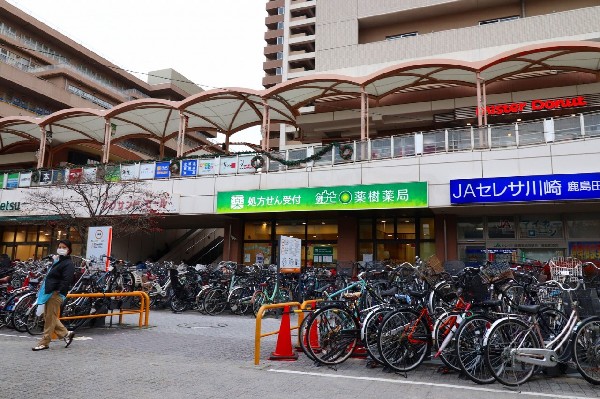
pixel 233 109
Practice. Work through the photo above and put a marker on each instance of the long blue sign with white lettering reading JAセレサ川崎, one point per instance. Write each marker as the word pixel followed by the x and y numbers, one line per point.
pixel 526 188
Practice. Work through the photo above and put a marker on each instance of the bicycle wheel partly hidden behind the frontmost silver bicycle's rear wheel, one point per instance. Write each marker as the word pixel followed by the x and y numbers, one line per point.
pixel 470 349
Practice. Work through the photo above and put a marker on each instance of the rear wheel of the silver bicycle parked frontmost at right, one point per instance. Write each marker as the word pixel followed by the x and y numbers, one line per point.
pixel 504 337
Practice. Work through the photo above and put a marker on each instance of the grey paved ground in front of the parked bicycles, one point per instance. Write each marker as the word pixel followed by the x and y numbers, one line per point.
pixel 191 355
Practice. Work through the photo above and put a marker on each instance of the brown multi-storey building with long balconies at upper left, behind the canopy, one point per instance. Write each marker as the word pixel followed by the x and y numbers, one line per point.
pixel 43 71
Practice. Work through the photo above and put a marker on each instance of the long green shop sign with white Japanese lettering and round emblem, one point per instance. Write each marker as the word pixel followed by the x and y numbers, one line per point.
pixel 373 196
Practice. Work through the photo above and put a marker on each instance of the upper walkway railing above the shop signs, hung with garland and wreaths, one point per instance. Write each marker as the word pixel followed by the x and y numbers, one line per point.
pixel 487 138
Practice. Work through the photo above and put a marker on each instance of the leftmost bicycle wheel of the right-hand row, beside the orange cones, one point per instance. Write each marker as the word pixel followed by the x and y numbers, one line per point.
pixel 337 334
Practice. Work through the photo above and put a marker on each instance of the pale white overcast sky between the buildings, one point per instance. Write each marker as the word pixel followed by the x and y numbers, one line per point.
pixel 213 43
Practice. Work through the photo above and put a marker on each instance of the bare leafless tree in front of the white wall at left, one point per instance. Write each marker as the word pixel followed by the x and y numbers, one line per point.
pixel 128 206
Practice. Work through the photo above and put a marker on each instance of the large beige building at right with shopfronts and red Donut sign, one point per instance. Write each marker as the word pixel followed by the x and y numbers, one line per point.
pixel 489 112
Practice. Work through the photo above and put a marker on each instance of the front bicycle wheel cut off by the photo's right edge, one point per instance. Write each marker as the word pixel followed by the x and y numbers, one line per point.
pixel 586 349
